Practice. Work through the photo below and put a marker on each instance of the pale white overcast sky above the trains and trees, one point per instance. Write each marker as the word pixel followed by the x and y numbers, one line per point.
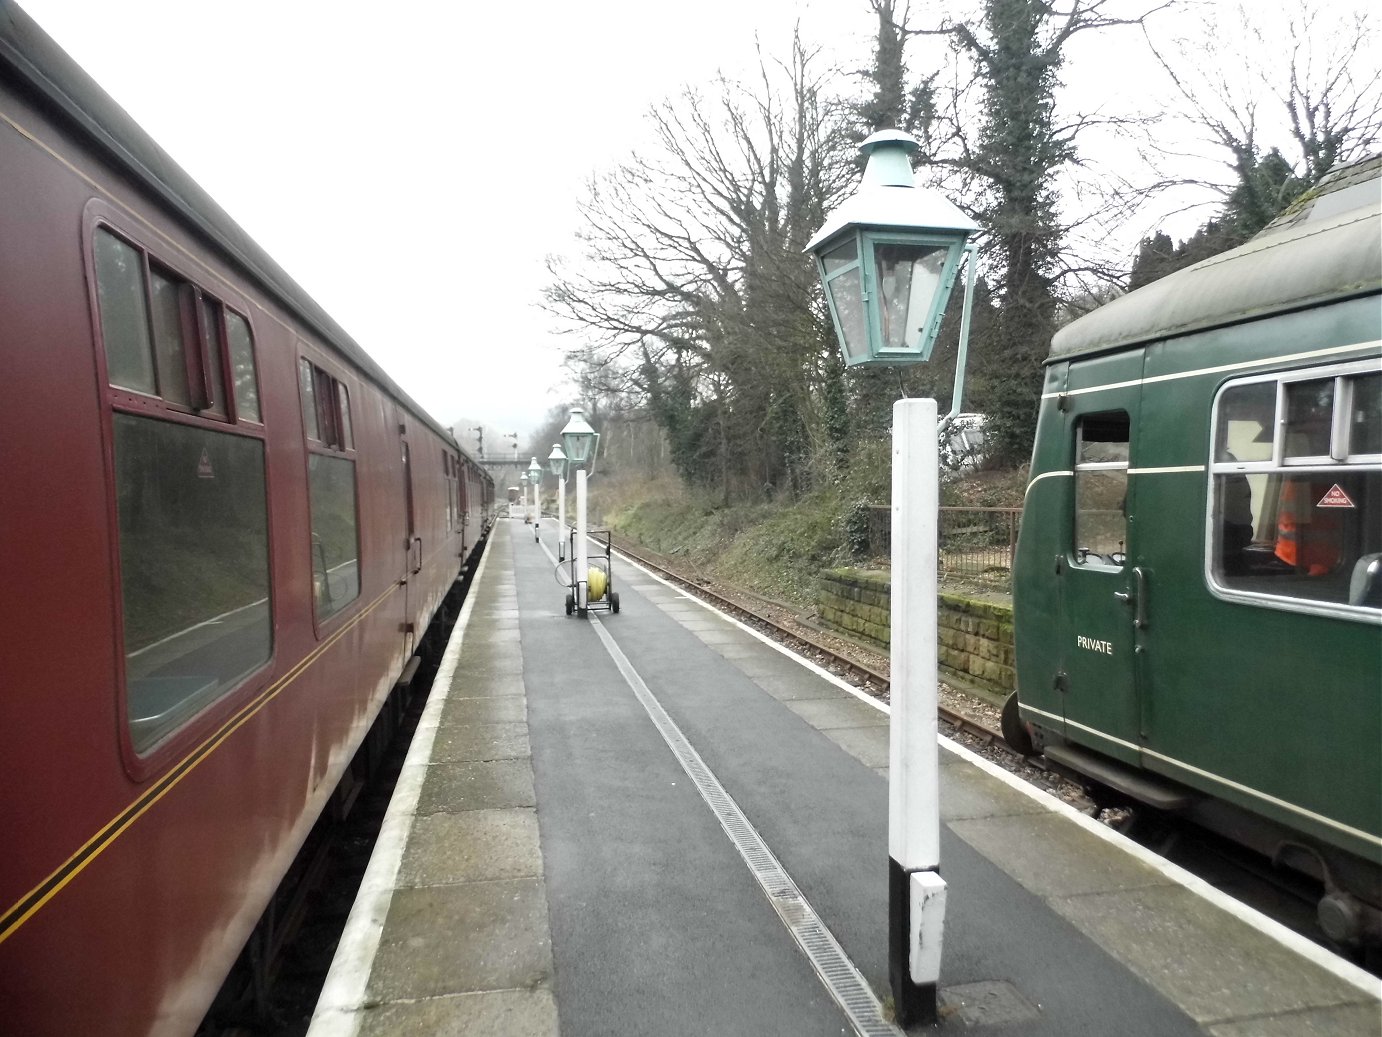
pixel 413 164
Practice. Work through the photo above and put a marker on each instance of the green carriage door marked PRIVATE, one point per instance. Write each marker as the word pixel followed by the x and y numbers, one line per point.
pixel 1104 595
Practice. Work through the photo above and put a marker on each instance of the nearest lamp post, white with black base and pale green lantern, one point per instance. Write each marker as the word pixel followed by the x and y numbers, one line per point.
pixel 888 259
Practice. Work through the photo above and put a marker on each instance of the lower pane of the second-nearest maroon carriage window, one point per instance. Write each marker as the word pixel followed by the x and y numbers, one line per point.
pixel 335 533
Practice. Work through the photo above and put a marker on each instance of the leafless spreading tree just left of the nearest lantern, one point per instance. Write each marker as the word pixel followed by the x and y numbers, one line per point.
pixel 693 290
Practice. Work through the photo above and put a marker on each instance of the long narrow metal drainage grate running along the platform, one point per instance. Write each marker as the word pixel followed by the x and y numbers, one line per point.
pixel 827 957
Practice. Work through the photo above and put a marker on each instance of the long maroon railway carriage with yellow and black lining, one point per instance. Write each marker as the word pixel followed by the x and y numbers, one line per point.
pixel 223 530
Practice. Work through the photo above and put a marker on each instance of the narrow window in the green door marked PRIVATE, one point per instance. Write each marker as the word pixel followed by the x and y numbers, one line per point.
pixel 1102 489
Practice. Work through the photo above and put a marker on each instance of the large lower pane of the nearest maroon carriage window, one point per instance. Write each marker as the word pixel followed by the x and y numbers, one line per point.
pixel 194 568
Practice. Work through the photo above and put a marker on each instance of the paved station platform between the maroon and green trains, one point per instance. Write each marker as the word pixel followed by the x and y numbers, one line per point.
pixel 659 823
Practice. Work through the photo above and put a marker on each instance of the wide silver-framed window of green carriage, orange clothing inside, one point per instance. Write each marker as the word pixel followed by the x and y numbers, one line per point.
pixel 1303 525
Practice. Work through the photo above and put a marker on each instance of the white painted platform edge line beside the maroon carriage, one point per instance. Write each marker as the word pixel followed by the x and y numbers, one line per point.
pixel 343 996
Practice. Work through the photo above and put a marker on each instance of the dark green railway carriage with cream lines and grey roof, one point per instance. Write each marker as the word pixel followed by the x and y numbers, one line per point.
pixel 1199 579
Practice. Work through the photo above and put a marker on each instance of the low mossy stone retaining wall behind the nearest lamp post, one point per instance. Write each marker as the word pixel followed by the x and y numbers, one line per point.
pixel 976 638
